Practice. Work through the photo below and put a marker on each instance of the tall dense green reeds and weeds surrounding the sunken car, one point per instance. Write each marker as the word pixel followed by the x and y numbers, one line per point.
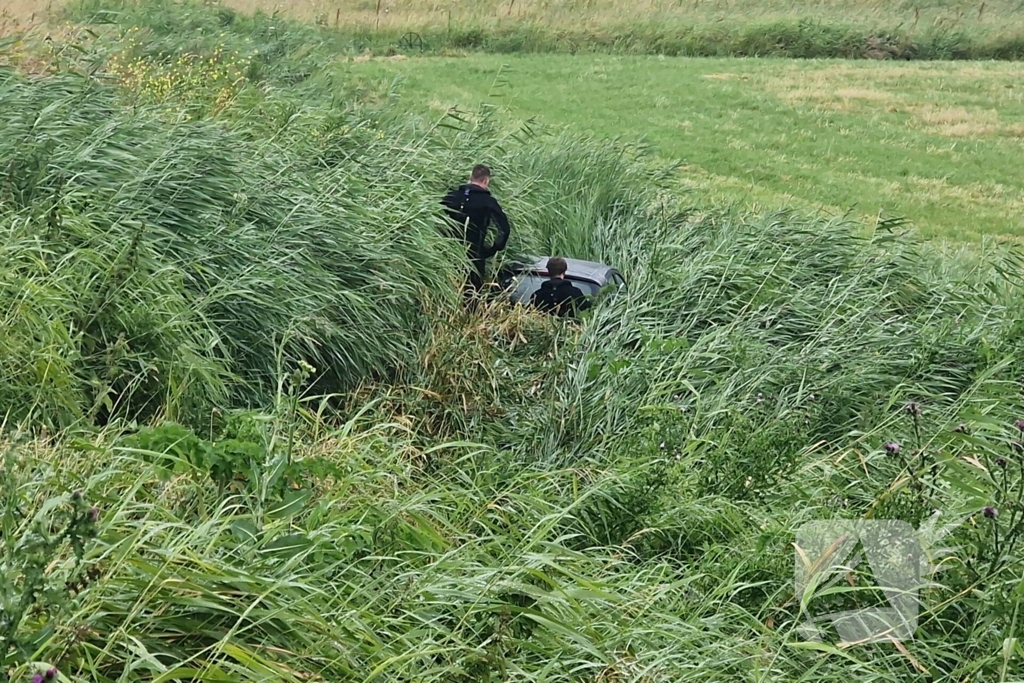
pixel 231 325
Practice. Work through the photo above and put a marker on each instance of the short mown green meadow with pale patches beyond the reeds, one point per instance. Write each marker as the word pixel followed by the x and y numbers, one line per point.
pixel 938 144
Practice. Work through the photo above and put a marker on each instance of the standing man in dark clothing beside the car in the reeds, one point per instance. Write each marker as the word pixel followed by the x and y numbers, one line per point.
pixel 473 208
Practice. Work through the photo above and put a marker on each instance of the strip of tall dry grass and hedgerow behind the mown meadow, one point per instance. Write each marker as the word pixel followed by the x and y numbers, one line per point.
pixel 919 31
